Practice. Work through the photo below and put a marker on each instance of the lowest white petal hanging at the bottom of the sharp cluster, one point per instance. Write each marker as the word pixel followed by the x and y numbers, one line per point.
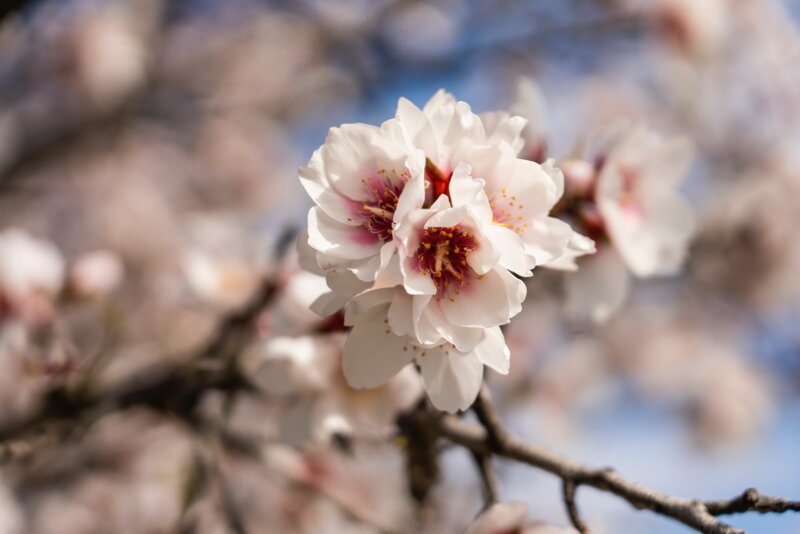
pixel 451 378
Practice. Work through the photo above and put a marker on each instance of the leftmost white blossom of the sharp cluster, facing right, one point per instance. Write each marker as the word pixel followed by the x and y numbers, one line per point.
pixel 356 179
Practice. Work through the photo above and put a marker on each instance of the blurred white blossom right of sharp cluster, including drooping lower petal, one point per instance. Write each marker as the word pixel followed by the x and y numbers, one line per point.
pixel 633 202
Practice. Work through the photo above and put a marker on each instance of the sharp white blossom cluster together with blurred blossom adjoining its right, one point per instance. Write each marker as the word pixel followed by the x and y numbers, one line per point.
pixel 426 226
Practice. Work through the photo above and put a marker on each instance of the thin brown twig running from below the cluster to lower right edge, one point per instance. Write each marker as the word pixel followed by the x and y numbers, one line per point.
pixel 493 439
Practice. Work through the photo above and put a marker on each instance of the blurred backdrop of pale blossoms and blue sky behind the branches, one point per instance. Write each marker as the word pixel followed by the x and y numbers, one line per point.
pixel 155 144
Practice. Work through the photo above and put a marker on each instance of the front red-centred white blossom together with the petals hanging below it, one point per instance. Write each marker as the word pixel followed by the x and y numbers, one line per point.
pixel 446 313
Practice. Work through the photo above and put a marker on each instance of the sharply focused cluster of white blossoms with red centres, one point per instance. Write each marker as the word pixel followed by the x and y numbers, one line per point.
pixel 423 227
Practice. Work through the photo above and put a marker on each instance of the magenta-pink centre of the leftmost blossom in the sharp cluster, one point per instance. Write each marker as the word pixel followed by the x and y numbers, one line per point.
pixel 377 211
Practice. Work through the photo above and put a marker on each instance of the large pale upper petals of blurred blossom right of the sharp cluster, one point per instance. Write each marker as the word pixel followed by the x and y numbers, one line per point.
pixel 649 223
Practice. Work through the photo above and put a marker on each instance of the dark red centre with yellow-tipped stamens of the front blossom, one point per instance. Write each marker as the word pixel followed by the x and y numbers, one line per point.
pixel 442 254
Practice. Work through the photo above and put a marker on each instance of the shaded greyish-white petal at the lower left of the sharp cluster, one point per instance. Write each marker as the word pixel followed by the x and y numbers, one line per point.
pixel 373 354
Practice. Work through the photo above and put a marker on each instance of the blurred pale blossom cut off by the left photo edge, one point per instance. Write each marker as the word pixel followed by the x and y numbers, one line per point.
pixel 31 274
